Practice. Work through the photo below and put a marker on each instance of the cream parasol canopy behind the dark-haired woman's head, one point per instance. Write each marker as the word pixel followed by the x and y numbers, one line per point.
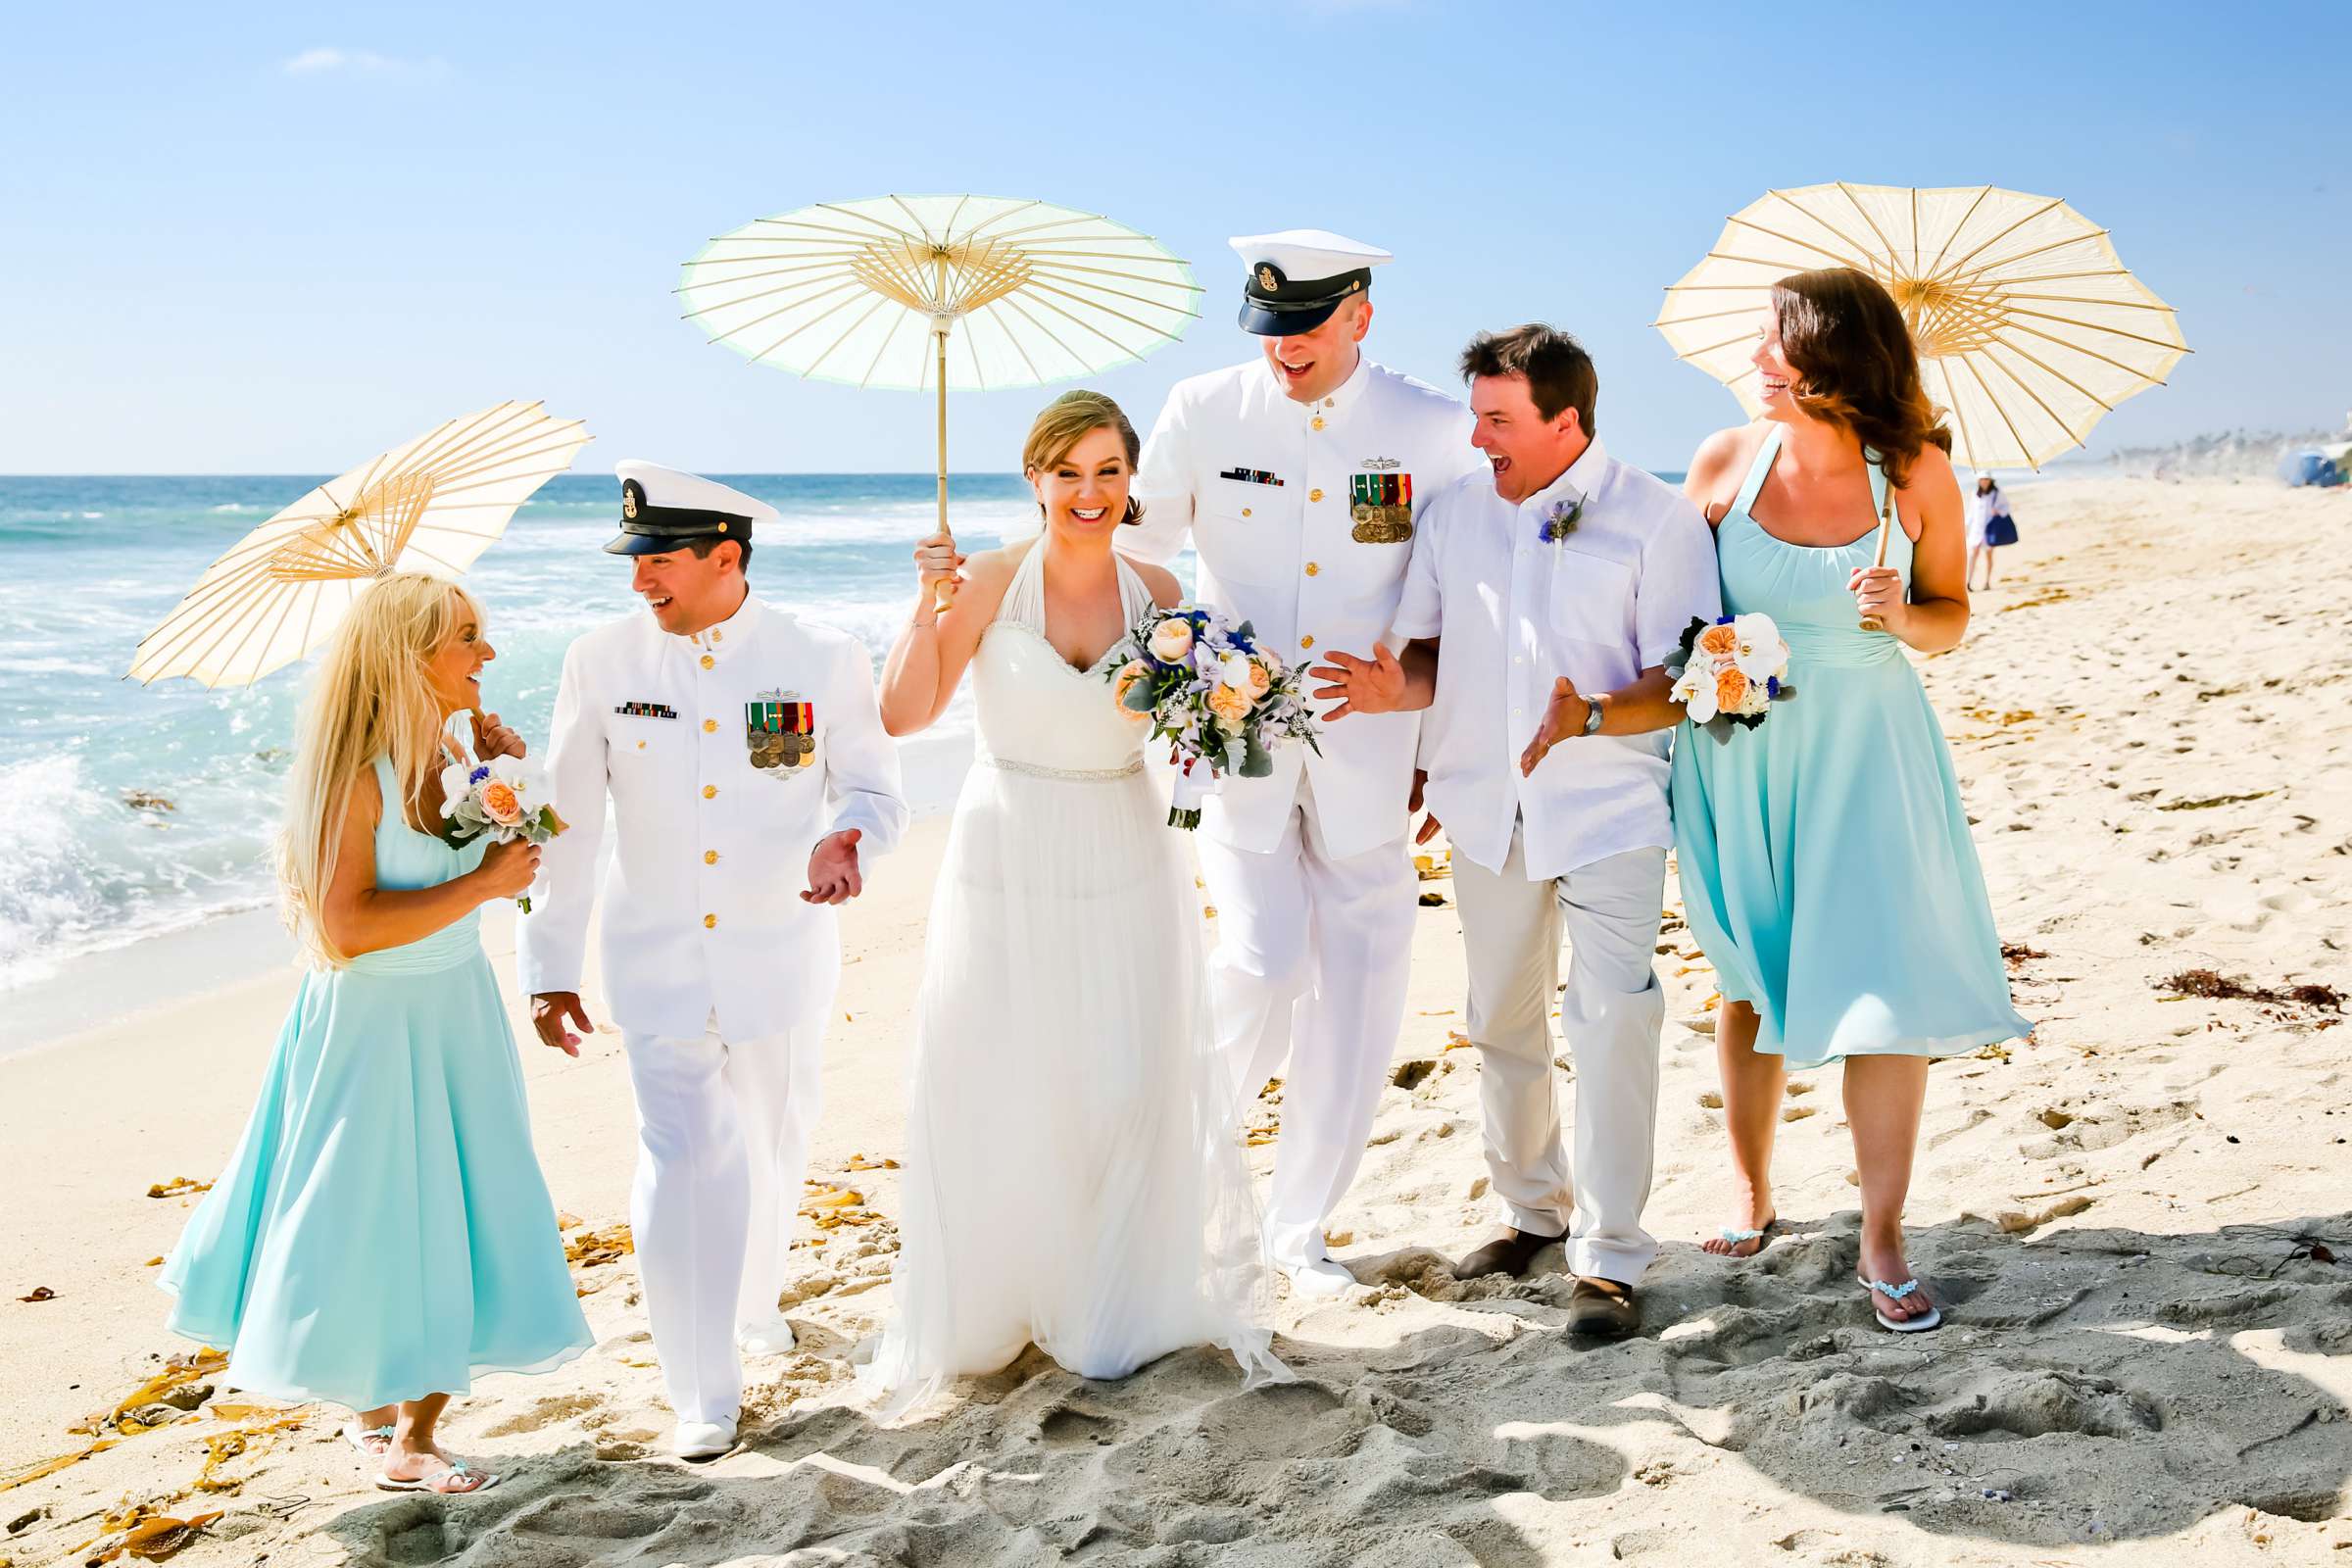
pixel 2029 326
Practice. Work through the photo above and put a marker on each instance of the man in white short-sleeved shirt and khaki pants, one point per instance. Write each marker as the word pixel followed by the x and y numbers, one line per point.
pixel 1544 603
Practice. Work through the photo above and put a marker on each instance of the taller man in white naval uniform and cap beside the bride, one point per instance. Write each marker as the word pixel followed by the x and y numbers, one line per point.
pixel 1297 478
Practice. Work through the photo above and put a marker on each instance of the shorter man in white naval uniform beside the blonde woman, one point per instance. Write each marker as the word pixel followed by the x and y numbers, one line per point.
pixel 751 784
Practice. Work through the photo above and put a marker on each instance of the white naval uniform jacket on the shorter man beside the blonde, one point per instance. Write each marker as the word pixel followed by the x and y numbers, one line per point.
pixel 702 902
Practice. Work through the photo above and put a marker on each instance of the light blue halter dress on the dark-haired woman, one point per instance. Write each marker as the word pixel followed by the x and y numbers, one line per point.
pixel 1824 857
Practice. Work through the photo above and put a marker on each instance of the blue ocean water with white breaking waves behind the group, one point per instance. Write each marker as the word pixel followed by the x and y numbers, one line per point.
pixel 145 810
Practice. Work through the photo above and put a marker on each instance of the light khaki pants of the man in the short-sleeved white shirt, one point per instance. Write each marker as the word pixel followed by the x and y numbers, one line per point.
pixel 1612 1017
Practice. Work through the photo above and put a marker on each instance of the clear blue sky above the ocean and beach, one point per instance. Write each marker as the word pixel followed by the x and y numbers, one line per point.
pixel 274 239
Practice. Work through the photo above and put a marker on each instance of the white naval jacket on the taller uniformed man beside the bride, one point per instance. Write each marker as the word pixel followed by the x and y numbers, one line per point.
pixel 1269 490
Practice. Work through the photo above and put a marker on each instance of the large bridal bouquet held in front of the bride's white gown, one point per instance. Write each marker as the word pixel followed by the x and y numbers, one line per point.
pixel 1220 699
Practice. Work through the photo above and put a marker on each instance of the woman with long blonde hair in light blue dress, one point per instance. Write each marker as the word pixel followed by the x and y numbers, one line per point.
pixel 382 1235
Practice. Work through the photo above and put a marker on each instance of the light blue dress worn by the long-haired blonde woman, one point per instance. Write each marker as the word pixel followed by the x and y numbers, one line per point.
pixel 382 1231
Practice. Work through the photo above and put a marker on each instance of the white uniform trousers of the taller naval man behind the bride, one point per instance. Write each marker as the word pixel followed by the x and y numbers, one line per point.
pixel 1311 963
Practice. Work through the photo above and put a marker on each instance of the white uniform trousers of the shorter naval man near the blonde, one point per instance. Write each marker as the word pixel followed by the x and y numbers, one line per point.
pixel 723 1144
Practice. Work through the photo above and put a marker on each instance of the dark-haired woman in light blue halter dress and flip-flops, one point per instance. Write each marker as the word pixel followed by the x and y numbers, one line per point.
pixel 1824 857
